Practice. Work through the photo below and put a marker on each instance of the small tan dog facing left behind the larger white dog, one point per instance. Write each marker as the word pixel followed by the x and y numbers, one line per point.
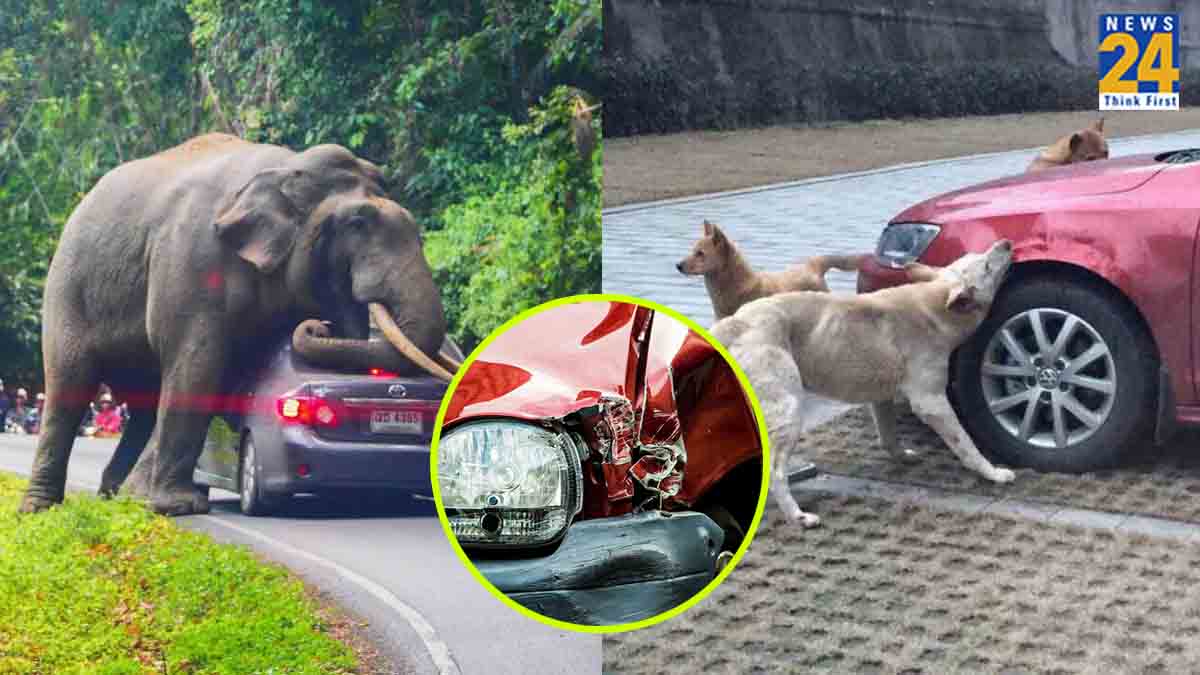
pixel 731 283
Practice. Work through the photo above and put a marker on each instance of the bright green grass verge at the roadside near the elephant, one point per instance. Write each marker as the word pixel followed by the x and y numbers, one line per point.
pixel 109 588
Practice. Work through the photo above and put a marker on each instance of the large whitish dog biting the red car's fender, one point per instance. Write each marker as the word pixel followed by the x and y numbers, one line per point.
pixel 866 350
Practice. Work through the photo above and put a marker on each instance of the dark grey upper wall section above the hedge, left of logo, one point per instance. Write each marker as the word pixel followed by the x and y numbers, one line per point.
pixel 739 34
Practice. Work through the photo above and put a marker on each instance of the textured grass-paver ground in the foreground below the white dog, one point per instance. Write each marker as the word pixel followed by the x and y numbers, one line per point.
pixel 896 588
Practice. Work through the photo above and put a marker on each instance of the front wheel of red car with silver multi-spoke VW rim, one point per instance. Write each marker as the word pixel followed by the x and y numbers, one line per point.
pixel 1061 377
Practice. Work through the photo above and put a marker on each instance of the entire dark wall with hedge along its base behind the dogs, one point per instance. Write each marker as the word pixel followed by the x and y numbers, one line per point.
pixel 733 50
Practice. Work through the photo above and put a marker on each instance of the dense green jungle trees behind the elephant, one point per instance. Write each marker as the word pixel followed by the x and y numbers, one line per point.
pixel 467 105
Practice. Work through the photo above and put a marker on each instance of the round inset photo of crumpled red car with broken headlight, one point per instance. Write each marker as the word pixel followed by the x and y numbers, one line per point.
pixel 599 463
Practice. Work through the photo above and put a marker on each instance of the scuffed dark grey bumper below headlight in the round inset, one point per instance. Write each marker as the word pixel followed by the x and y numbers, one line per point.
pixel 615 570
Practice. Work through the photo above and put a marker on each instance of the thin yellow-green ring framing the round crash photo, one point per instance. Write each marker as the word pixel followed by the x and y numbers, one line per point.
pixel 662 617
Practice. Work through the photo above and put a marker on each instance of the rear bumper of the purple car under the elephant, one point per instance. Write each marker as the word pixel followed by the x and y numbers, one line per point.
pixel 334 465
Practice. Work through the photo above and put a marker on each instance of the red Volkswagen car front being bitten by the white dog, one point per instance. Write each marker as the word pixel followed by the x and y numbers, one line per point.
pixel 1090 344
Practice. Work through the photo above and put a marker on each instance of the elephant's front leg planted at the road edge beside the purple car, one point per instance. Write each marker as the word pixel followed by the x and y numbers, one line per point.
pixel 163 476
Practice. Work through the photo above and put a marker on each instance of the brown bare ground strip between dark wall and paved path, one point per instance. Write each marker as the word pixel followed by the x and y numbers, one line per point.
pixel 645 169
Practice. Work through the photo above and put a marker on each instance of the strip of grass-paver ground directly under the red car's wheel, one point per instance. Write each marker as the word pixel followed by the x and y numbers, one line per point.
pixel 1162 482
